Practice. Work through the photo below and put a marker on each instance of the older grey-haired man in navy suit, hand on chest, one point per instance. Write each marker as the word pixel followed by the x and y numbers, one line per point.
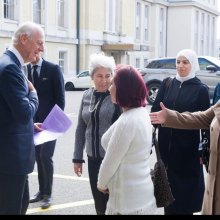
pixel 18 105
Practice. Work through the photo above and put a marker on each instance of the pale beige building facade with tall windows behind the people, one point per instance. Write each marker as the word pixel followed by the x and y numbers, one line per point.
pixel 130 30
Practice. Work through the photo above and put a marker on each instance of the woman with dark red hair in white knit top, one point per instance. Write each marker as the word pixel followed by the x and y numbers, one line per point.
pixel 125 172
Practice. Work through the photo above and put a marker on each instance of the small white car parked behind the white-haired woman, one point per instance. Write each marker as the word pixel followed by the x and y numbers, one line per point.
pixel 80 81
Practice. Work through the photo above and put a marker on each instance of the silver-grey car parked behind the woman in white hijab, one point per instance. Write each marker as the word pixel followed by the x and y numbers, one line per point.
pixel 160 68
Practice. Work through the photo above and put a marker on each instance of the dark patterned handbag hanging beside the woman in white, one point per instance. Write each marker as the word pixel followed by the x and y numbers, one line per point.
pixel 162 191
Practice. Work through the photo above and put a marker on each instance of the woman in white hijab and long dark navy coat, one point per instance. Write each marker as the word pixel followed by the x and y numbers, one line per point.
pixel 179 148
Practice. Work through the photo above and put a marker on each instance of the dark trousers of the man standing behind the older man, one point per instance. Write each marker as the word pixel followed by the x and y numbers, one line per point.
pixel 44 159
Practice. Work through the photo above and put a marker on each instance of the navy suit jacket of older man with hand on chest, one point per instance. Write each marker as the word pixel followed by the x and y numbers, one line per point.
pixel 17 109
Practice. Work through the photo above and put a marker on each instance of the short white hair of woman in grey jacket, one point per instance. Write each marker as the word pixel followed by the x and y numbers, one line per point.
pixel 98 60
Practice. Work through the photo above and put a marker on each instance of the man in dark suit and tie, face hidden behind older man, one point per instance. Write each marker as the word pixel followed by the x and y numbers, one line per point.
pixel 49 83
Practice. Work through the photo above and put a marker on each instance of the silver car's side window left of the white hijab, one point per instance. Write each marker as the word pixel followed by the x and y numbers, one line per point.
pixel 162 64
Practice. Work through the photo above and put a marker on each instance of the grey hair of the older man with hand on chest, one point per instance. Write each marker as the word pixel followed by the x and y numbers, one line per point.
pixel 27 28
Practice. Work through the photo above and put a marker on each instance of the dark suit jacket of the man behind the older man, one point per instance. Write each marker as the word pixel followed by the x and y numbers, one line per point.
pixel 50 89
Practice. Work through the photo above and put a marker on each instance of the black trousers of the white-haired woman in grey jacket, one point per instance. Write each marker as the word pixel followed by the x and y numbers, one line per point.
pixel 100 198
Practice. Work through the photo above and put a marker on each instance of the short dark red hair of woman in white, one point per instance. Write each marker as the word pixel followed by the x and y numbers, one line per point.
pixel 131 90
